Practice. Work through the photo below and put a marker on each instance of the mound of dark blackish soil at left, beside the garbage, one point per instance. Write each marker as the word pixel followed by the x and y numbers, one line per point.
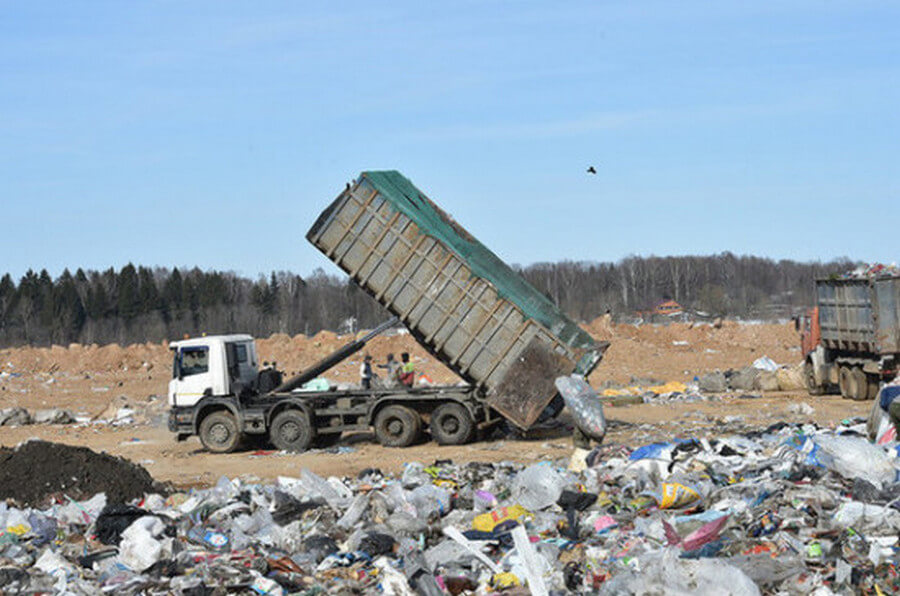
pixel 37 470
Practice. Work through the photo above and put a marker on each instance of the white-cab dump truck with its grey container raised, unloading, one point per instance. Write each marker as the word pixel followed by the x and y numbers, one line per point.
pixel 462 303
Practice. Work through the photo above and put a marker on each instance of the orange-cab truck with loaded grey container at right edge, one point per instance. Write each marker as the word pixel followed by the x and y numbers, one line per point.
pixel 850 339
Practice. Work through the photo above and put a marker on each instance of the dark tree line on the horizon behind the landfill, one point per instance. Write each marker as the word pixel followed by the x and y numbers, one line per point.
pixel 140 304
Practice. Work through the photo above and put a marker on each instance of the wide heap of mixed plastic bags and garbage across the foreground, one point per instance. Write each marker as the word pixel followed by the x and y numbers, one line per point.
pixel 790 509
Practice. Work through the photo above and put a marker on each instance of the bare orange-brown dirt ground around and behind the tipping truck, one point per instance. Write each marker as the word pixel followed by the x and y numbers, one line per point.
pixel 95 382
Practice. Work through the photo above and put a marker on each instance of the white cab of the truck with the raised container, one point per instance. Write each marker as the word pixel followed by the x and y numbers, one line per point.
pixel 211 366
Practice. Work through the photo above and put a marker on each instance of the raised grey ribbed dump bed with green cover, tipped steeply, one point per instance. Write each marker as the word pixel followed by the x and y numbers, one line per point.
pixel 460 301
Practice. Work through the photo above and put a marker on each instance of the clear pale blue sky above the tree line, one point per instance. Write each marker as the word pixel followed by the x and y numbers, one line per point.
pixel 213 133
